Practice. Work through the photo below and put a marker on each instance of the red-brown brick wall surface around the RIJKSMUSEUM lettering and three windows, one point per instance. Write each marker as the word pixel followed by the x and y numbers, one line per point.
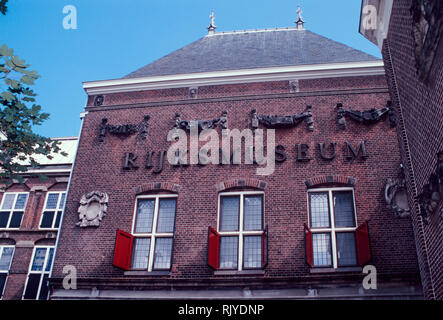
pixel 99 167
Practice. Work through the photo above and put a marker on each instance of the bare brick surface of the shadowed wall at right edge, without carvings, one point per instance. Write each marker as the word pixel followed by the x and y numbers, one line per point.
pixel 420 106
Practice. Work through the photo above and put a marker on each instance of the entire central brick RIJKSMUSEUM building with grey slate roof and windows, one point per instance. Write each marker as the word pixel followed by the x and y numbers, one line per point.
pixel 139 227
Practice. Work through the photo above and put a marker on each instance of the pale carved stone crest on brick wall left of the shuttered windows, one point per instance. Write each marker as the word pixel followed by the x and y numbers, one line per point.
pixel 92 209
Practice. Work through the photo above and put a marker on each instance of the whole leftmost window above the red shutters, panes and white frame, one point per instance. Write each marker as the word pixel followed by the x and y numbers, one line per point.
pixel 153 232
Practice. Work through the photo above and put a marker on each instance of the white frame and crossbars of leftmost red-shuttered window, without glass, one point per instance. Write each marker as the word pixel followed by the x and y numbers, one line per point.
pixel 153 235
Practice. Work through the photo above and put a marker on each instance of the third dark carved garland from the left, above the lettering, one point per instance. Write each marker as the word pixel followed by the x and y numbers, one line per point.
pixel 276 122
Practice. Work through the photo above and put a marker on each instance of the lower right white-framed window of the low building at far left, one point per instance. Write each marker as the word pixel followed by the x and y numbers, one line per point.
pixel 36 287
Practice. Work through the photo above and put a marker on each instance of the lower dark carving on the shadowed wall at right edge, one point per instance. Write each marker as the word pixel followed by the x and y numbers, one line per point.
pixel 431 199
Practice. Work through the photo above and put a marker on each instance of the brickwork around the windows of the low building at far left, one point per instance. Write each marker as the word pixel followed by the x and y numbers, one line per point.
pixel 29 231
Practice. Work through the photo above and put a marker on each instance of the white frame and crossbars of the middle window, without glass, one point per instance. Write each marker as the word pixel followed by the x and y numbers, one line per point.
pixel 240 233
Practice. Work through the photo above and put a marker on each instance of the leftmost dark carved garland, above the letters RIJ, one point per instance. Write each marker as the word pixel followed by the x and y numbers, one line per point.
pixel 124 130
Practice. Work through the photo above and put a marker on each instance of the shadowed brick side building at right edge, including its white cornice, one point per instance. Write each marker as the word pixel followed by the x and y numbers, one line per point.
pixel 413 57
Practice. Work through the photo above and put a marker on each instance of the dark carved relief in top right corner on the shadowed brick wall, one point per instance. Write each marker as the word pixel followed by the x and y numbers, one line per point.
pixel 427 27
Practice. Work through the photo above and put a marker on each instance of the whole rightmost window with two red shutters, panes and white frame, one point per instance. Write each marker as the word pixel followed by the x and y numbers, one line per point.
pixel 333 222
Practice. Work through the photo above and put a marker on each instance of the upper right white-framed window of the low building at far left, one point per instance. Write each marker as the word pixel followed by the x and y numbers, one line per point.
pixel 52 211
